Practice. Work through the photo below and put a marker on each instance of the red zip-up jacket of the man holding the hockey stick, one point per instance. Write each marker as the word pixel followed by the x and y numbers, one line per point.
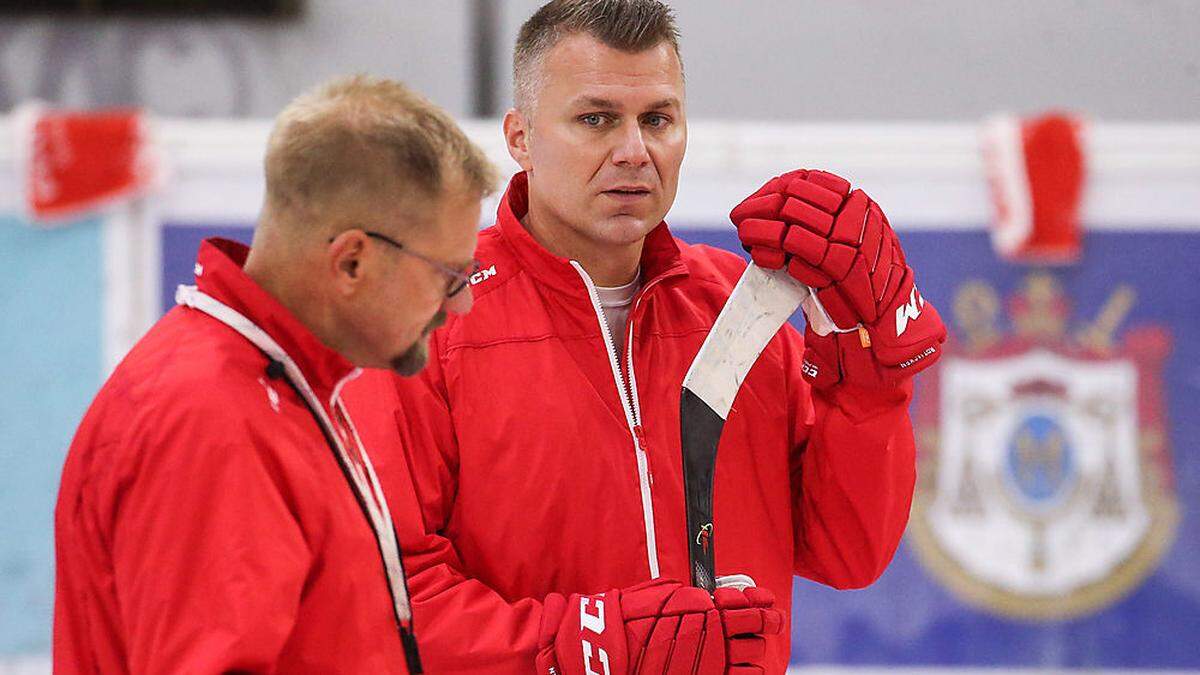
pixel 542 464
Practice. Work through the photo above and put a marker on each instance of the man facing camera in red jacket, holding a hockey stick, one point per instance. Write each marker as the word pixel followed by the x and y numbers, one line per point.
pixel 544 440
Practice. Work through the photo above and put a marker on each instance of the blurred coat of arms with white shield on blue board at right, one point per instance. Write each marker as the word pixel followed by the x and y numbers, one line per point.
pixel 1045 486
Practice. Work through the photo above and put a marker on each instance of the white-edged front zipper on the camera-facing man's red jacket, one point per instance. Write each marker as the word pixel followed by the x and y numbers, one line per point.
pixel 633 413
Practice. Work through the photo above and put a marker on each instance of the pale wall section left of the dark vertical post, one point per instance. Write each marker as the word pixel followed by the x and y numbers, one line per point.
pixel 236 68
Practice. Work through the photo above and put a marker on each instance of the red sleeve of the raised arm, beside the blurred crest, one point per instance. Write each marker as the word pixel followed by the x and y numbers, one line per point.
pixel 854 471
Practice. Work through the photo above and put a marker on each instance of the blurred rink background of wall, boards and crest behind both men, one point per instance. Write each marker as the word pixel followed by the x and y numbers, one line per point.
pixel 1041 162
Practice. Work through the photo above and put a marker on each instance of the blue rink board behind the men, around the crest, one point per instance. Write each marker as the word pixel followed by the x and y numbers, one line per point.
pixel 909 618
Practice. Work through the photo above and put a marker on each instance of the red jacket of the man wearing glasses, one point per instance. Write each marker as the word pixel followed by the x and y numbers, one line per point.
pixel 205 524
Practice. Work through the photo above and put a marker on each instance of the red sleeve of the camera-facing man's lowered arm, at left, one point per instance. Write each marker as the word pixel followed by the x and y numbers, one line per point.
pixel 461 624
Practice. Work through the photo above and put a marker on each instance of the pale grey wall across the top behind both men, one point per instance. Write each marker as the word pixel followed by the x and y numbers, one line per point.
pixel 758 59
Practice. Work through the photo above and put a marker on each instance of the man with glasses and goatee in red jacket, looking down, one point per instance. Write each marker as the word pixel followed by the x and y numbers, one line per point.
pixel 219 512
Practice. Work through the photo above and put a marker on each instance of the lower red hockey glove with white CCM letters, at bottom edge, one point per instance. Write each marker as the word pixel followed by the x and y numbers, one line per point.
pixel 658 628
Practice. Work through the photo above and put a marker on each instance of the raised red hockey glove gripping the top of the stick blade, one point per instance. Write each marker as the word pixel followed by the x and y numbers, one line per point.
pixel 839 243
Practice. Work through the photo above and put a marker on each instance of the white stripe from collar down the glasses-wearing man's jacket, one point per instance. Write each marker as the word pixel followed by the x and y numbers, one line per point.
pixel 367 488
